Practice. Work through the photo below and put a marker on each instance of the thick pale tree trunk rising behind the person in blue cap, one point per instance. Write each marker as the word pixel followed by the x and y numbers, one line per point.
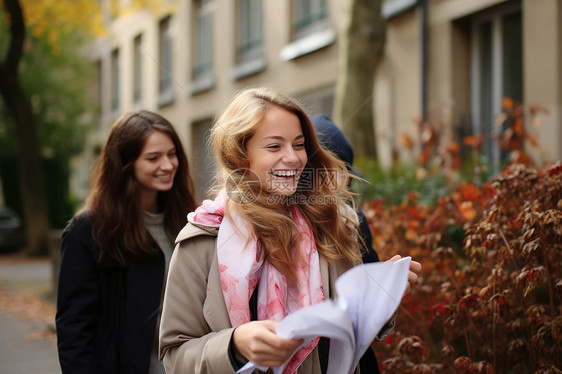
pixel 362 41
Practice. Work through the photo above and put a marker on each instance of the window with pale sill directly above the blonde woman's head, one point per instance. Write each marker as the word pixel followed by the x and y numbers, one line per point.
pixel 249 51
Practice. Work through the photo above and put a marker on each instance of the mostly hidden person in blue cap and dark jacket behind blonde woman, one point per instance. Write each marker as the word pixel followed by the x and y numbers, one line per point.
pixel 333 139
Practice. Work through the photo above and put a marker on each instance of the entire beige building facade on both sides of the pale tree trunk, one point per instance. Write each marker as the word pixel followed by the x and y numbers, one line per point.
pixel 186 59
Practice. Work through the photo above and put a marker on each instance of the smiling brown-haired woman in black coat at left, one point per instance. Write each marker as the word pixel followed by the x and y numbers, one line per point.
pixel 116 250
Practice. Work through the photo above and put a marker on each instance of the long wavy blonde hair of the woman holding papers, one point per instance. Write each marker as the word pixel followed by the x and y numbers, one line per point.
pixel 321 200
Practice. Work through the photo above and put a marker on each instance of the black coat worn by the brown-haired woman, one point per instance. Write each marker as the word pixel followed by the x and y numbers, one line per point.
pixel 106 313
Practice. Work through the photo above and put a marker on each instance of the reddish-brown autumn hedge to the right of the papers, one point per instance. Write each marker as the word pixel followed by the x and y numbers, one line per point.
pixel 490 292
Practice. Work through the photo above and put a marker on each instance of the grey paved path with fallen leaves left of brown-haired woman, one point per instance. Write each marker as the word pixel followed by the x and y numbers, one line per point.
pixel 20 350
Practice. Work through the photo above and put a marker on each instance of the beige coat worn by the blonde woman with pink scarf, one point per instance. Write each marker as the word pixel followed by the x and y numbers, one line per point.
pixel 195 329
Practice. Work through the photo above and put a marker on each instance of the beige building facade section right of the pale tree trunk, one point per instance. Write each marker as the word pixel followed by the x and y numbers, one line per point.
pixel 453 61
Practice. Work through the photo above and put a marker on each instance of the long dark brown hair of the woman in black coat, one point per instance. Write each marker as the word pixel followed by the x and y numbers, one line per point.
pixel 114 199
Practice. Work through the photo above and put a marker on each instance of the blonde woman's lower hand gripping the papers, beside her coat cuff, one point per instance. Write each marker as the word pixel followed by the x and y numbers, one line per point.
pixel 257 342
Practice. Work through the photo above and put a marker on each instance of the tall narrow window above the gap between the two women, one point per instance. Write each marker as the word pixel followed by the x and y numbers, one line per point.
pixel 203 38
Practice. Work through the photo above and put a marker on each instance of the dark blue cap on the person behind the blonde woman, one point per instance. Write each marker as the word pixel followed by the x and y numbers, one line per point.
pixel 332 139
